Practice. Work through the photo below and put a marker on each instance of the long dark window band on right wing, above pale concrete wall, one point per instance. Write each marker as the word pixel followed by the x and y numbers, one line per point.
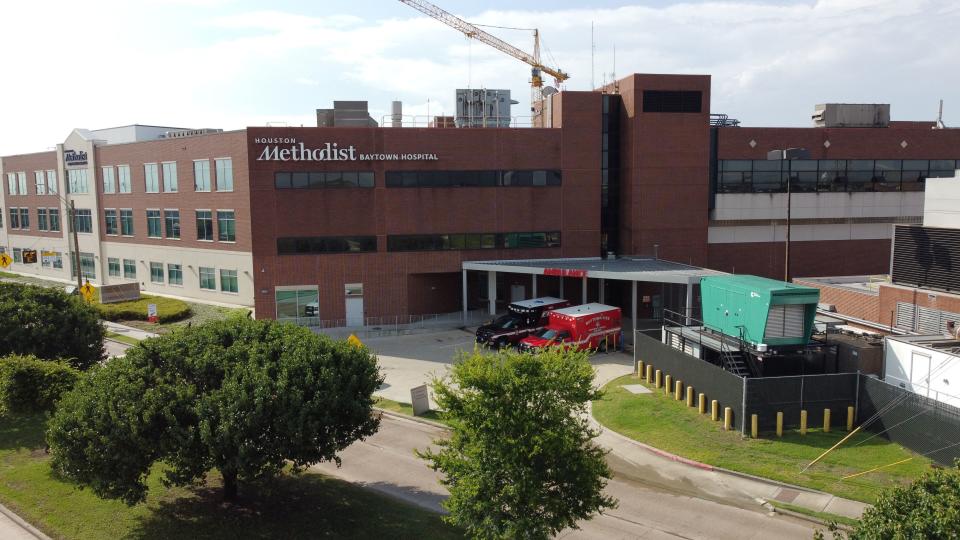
pixel 827 175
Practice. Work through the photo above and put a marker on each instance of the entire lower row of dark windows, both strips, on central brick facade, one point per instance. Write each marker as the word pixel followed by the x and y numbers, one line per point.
pixel 417 242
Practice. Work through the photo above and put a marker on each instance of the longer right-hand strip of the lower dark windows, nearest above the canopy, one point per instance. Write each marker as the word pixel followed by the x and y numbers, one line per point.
pixel 444 242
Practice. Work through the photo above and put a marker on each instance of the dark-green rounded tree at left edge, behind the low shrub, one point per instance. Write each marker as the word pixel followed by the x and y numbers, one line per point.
pixel 49 324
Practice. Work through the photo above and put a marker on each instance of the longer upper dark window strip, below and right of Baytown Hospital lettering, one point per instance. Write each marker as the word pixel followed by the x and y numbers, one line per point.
pixel 473 178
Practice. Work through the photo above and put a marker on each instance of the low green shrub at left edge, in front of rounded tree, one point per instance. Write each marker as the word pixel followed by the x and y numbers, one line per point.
pixel 29 384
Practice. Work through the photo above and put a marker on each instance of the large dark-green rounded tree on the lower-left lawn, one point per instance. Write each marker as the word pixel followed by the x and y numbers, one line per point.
pixel 241 396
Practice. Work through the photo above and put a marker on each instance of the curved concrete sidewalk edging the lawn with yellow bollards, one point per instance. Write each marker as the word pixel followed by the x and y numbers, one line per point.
pixel 711 482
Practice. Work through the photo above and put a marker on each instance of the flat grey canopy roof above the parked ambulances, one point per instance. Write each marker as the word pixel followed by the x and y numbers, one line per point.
pixel 625 269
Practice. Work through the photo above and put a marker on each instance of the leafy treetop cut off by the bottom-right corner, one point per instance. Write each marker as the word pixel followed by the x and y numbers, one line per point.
pixel 927 509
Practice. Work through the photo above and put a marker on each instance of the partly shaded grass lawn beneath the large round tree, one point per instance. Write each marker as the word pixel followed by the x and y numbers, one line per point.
pixel 306 506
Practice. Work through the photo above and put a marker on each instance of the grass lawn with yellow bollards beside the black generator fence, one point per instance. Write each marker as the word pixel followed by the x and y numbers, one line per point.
pixel 670 425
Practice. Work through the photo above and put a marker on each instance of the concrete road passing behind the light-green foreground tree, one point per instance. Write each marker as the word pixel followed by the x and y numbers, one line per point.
pixel 647 509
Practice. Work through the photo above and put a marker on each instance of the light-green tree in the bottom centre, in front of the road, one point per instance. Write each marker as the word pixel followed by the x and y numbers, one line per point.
pixel 520 462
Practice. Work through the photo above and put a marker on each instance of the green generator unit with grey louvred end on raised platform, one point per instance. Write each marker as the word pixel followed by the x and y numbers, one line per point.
pixel 770 313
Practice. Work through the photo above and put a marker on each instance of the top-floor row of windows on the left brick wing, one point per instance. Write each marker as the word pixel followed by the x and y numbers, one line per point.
pixel 117 179
